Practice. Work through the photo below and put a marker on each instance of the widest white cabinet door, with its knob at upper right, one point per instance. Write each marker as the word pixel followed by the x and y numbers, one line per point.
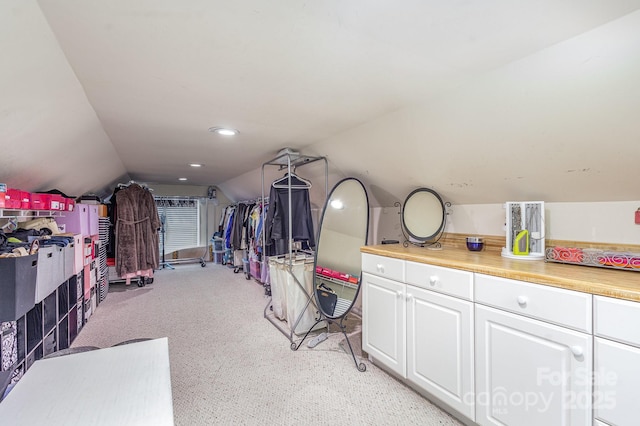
pixel 529 372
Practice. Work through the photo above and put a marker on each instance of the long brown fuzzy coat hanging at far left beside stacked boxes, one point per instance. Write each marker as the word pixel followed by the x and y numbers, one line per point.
pixel 136 232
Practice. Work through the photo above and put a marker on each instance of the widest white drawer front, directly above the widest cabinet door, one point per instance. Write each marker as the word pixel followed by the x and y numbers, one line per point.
pixel 556 305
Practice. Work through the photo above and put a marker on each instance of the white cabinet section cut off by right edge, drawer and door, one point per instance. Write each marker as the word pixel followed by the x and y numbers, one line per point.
pixel 617 361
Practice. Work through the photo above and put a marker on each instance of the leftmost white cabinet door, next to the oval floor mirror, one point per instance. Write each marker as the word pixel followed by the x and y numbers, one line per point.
pixel 383 321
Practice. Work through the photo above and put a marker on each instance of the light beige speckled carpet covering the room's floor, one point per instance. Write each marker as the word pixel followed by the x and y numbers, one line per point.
pixel 229 365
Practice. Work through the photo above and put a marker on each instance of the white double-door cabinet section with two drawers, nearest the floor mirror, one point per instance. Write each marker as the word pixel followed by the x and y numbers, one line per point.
pixel 419 331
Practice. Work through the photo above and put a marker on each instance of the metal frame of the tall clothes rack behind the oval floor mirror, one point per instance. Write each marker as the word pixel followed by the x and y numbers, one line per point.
pixel 290 162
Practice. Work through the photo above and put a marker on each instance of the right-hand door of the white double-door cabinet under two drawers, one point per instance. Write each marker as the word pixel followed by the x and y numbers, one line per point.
pixel 440 347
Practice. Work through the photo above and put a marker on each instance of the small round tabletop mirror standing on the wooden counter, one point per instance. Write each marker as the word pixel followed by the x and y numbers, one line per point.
pixel 423 215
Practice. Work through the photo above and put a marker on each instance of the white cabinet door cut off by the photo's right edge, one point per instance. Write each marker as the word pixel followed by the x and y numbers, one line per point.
pixel 617 374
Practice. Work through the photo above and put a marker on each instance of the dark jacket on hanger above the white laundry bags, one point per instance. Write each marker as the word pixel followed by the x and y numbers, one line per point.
pixel 277 219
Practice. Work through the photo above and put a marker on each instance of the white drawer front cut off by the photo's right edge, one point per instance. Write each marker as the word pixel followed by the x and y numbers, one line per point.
pixel 617 319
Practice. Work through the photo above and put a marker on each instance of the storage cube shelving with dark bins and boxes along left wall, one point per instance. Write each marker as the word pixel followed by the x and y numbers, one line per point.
pixel 46 298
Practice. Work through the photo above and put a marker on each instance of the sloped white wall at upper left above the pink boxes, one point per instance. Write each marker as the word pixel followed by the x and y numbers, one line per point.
pixel 50 135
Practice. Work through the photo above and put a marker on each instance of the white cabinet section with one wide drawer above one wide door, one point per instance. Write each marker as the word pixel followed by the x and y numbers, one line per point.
pixel 531 369
